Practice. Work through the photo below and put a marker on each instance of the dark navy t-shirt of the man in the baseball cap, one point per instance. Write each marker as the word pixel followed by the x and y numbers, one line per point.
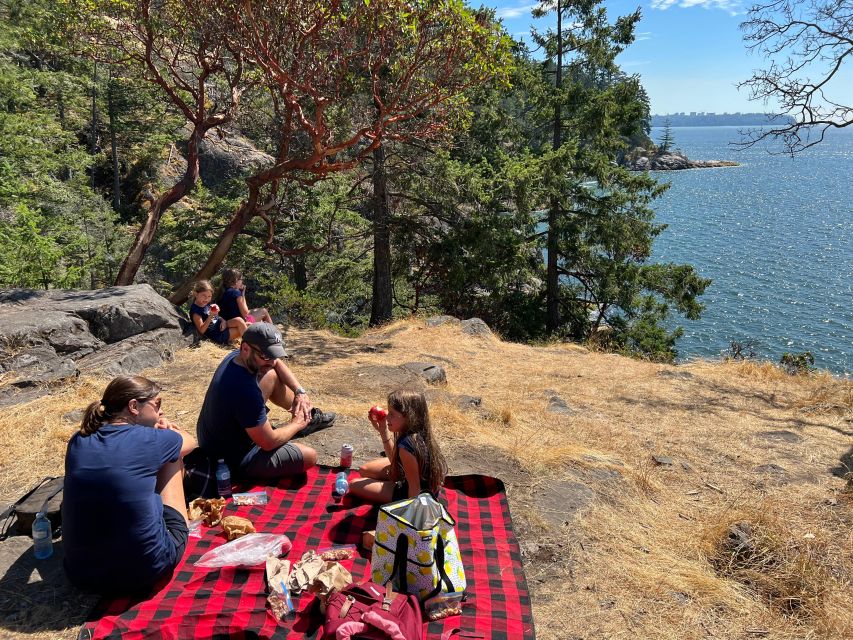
pixel 233 403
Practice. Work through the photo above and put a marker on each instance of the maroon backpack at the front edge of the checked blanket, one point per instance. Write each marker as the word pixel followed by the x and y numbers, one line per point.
pixel 369 611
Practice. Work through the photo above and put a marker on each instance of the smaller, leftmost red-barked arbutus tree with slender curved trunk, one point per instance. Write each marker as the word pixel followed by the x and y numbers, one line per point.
pixel 177 47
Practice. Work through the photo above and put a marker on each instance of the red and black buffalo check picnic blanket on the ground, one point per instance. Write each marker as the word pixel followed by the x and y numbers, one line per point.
pixel 231 603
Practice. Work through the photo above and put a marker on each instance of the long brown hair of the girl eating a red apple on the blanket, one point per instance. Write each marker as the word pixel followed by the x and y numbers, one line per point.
pixel 413 406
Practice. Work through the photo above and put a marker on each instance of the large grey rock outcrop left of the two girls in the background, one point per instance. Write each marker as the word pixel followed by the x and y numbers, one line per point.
pixel 47 337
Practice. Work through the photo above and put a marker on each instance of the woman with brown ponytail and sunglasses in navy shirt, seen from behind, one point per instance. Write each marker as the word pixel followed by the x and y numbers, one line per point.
pixel 124 524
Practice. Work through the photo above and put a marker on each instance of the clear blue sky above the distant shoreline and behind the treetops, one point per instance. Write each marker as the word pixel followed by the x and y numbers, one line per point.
pixel 689 53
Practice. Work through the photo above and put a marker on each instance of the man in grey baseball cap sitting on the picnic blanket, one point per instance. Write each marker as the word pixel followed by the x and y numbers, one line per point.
pixel 233 424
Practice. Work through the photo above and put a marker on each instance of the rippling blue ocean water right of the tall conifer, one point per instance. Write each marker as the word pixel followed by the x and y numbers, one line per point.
pixel 776 237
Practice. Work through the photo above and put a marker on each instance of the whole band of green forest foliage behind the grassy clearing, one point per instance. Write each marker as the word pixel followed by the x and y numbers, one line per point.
pixel 469 211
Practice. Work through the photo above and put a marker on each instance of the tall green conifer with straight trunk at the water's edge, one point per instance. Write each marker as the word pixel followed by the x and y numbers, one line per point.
pixel 600 218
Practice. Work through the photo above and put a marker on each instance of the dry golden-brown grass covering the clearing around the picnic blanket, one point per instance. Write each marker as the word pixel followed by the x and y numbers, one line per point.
pixel 644 558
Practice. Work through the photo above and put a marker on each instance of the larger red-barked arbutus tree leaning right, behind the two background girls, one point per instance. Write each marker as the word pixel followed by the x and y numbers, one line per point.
pixel 343 77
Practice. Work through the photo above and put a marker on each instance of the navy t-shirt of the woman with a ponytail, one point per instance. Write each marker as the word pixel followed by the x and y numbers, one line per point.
pixel 113 532
